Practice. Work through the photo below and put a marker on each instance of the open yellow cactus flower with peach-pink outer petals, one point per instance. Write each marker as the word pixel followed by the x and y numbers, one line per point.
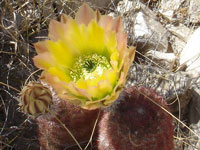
pixel 85 59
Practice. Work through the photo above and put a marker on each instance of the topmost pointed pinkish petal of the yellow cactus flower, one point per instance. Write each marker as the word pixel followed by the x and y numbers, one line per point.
pixel 85 14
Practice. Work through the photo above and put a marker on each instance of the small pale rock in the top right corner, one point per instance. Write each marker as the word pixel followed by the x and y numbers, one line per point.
pixel 194 11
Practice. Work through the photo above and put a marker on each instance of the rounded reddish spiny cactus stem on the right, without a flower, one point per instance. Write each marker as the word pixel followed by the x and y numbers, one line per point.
pixel 133 122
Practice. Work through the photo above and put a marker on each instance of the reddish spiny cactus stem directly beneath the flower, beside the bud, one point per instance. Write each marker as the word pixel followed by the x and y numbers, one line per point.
pixel 80 122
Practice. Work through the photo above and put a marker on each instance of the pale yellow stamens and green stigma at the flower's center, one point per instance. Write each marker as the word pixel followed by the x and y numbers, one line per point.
pixel 89 67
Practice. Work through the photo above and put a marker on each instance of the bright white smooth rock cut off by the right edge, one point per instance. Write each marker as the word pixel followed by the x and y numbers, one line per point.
pixel 191 53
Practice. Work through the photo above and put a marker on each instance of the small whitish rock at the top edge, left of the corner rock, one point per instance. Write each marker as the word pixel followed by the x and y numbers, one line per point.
pixel 168 7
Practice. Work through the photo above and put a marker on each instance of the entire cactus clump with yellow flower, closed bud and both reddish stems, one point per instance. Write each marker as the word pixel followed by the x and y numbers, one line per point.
pixel 86 61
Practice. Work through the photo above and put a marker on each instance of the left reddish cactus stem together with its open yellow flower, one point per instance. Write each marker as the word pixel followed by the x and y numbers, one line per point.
pixel 85 61
